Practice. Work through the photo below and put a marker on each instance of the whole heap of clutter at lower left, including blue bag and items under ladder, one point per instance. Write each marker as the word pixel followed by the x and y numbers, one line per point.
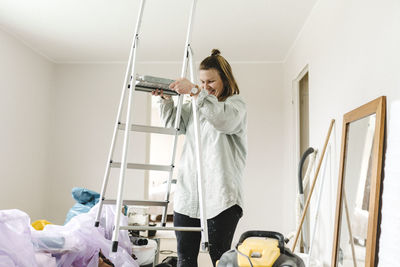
pixel 77 243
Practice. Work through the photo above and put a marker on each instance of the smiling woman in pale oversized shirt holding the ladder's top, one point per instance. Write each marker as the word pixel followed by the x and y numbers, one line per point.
pixel 222 118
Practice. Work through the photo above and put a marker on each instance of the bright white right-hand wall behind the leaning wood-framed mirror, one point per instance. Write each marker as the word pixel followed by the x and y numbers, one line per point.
pixel 351 49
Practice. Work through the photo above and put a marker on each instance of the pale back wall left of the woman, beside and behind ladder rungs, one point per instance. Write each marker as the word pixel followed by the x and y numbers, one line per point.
pixel 85 107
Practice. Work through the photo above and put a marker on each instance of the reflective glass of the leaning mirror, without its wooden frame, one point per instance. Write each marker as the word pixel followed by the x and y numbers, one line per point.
pixel 353 227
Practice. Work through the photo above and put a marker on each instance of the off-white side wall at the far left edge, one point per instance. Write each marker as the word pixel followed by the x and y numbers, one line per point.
pixel 25 86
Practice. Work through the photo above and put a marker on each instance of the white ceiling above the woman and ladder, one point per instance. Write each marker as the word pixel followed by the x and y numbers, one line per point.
pixel 102 30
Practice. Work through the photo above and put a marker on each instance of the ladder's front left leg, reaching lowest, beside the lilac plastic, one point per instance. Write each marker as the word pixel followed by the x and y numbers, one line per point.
pixel 124 161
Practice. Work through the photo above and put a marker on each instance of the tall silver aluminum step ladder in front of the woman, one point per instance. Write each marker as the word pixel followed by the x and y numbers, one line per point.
pixel 130 87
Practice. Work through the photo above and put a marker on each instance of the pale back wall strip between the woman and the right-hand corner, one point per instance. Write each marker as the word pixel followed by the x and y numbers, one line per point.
pixel 261 86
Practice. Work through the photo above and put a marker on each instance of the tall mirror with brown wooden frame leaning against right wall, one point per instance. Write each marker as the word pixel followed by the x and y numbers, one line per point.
pixel 357 207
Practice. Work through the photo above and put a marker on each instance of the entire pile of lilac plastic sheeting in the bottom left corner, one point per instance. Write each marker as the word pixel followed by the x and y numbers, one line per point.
pixel 77 243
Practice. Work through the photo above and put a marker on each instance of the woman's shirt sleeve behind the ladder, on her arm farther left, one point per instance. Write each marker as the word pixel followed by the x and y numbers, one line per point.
pixel 168 114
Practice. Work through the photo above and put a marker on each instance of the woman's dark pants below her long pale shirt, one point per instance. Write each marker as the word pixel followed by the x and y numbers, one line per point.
pixel 220 234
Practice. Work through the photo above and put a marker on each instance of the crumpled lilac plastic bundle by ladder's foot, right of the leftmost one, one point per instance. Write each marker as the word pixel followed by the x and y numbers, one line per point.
pixel 82 241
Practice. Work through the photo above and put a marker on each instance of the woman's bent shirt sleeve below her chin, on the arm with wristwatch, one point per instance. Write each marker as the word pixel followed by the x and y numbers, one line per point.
pixel 227 116
